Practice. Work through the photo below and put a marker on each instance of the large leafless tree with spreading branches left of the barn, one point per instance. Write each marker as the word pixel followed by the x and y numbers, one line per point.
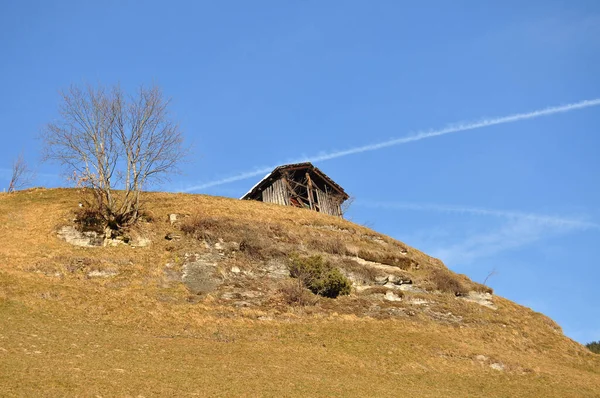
pixel 107 140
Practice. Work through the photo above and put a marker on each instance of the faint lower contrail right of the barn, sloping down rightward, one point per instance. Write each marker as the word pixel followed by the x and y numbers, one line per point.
pixel 538 218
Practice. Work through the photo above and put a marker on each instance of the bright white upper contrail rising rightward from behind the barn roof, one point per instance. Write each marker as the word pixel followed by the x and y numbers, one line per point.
pixel 411 138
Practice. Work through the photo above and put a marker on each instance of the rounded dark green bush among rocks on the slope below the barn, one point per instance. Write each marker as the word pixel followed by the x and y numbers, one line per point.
pixel 319 276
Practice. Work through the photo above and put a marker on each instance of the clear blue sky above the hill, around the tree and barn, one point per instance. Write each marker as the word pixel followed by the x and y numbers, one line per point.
pixel 261 83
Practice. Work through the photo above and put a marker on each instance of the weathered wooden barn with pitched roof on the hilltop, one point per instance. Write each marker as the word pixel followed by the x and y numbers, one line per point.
pixel 300 185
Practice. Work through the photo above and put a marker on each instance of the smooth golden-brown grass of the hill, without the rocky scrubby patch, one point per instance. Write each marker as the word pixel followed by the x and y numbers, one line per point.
pixel 62 333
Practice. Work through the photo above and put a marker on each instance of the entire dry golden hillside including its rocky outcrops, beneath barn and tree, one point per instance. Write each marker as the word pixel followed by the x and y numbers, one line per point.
pixel 203 310
